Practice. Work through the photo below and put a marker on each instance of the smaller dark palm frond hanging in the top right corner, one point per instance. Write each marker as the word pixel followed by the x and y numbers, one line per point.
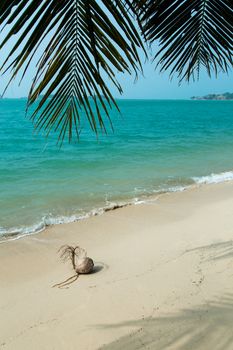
pixel 191 34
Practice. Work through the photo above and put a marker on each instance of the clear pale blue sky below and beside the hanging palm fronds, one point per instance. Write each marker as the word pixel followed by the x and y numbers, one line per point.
pixel 150 85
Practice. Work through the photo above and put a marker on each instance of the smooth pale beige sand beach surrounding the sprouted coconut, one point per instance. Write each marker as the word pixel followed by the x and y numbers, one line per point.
pixel 163 279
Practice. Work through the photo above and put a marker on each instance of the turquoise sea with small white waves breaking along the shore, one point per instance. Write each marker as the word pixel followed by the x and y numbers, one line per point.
pixel 156 146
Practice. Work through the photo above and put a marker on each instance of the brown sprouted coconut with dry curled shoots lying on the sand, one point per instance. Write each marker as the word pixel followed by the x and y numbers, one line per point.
pixel 80 262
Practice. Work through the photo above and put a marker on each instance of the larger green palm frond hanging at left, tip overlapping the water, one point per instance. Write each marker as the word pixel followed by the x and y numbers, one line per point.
pixel 88 40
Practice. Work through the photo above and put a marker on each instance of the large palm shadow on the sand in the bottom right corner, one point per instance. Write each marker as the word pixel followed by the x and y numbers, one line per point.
pixel 204 327
